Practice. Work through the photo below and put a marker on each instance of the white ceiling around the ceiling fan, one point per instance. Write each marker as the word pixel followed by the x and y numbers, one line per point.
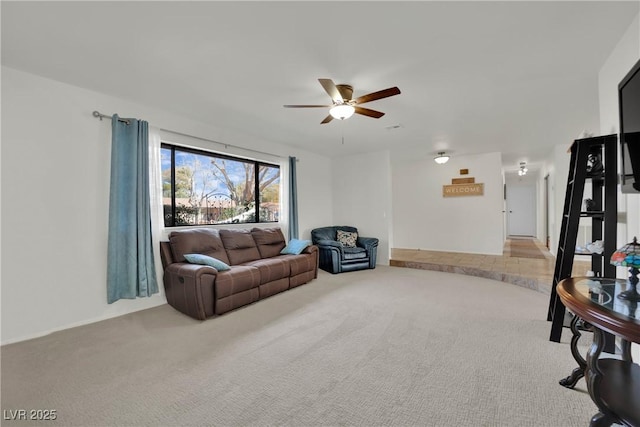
pixel 516 77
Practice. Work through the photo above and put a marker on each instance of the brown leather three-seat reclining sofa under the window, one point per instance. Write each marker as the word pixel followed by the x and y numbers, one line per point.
pixel 258 270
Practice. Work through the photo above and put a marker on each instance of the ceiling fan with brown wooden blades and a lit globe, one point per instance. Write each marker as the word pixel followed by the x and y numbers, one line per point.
pixel 343 106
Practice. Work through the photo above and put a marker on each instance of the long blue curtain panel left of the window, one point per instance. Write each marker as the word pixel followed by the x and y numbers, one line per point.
pixel 130 266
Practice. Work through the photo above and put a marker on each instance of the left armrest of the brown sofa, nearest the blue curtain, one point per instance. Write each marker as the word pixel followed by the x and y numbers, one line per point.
pixel 189 288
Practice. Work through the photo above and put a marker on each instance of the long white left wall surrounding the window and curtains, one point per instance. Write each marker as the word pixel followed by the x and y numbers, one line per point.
pixel 55 189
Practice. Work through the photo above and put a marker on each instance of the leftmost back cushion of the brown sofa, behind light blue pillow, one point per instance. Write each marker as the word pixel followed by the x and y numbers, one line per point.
pixel 205 241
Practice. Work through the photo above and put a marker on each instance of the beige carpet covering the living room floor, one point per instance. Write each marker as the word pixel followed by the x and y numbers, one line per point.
pixel 390 346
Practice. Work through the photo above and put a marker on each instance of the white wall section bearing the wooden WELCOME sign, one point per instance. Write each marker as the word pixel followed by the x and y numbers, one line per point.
pixel 424 219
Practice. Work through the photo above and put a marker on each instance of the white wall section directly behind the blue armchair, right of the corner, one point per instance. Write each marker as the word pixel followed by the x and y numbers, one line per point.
pixel 362 196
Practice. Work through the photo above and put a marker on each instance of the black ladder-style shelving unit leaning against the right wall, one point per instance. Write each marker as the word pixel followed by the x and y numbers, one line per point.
pixel 595 160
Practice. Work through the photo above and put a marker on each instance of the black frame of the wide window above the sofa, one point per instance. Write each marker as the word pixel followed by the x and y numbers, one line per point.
pixel 212 154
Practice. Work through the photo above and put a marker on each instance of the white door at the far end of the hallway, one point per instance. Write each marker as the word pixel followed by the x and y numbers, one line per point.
pixel 521 210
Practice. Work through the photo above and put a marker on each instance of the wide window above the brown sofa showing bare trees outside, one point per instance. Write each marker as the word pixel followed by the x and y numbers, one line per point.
pixel 199 187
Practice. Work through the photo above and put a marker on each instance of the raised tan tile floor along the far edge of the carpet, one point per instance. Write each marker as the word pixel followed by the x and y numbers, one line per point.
pixel 531 273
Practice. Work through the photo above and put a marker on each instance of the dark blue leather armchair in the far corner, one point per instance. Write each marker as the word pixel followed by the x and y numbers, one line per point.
pixel 336 257
